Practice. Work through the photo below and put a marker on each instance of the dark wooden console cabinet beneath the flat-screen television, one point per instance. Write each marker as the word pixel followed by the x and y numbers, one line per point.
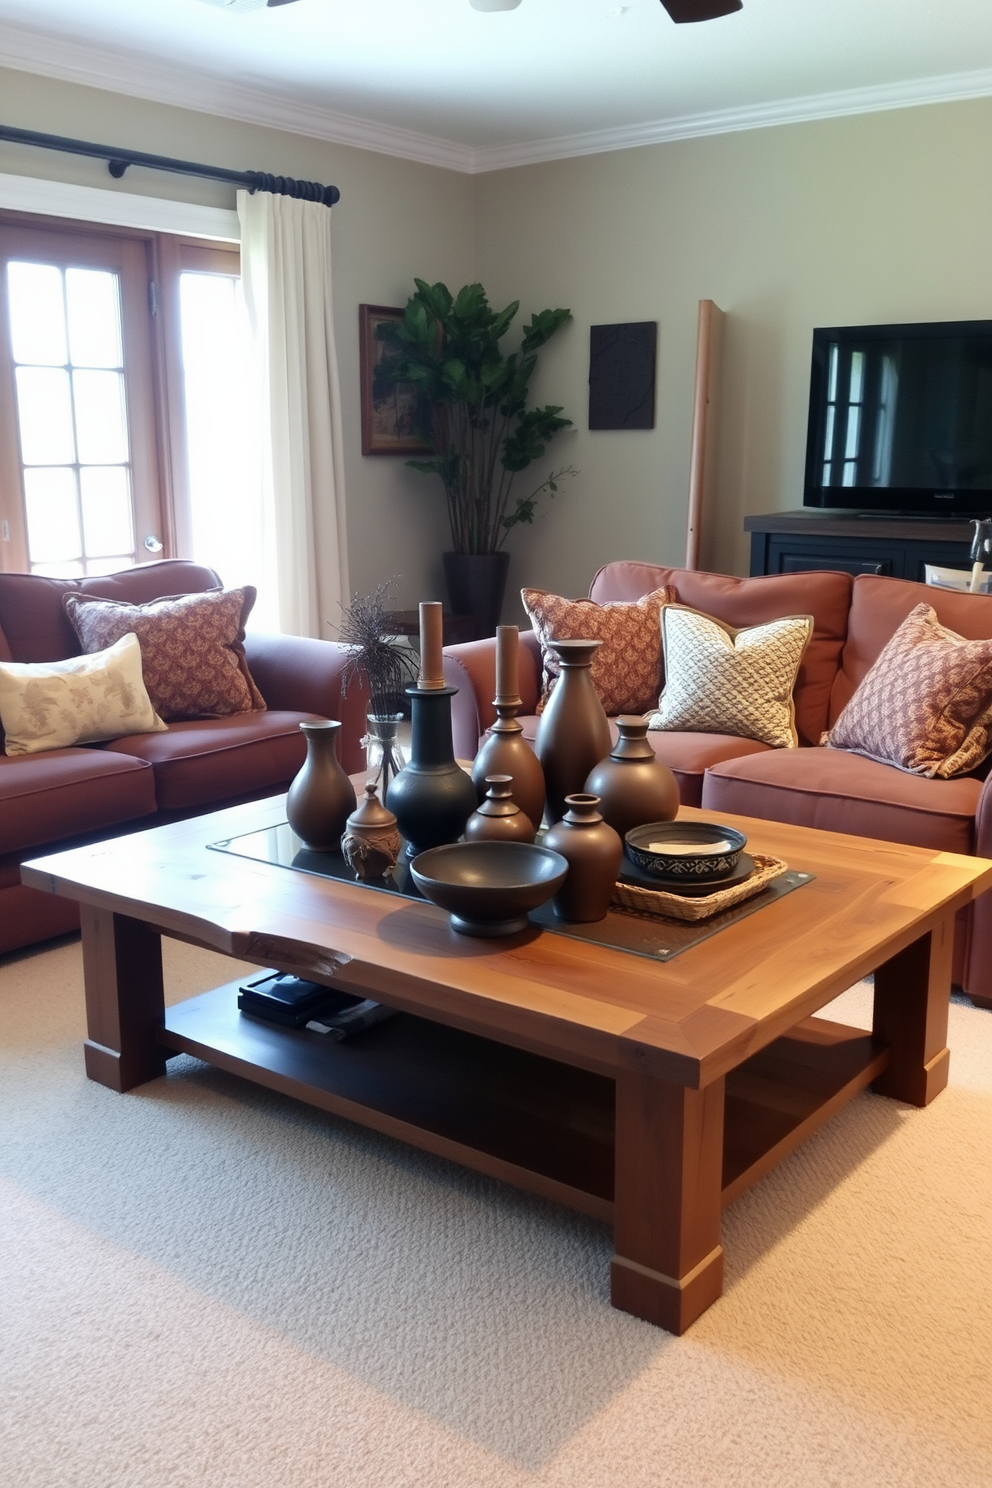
pixel 793 542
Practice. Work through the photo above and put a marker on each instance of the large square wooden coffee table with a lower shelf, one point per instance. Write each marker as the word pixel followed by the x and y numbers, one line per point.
pixel 645 1094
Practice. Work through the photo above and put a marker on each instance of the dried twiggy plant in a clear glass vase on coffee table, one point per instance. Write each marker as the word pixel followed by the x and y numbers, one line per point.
pixel 386 667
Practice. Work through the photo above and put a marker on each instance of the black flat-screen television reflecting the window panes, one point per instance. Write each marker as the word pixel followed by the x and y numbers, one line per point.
pixel 901 420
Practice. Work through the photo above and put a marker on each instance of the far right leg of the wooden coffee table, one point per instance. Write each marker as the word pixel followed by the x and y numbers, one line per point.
pixel 912 995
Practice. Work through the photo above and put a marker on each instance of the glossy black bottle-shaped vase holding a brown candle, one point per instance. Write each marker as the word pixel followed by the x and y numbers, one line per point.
pixel 432 798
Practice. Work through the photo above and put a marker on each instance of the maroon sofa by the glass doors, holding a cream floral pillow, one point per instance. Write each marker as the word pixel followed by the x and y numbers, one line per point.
pixel 69 797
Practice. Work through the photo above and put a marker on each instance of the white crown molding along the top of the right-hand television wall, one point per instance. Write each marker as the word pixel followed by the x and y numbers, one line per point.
pixel 951 89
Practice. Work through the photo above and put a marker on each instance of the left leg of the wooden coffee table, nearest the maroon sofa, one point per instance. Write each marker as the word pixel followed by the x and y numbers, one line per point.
pixel 123 969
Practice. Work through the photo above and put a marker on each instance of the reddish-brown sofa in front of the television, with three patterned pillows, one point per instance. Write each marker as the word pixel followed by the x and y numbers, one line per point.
pixel 810 786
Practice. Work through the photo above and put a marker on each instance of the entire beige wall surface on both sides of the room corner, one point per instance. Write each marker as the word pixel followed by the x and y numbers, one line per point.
pixel 878 218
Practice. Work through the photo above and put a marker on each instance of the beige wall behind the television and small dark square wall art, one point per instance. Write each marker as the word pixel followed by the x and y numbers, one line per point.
pixel 880 218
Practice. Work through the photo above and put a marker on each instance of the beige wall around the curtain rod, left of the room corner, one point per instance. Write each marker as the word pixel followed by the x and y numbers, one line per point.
pixel 395 219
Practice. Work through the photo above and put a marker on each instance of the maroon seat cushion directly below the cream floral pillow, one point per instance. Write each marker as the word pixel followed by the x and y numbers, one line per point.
pixel 62 794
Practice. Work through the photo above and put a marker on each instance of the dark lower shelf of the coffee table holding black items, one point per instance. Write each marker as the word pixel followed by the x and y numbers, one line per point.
pixel 530 1121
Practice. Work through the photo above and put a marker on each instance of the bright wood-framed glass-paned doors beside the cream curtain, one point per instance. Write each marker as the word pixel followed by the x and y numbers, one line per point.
pixel 118 408
